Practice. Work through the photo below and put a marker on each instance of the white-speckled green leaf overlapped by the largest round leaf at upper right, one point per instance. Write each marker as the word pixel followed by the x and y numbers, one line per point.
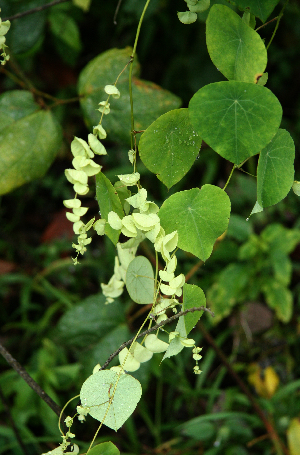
pixel 170 146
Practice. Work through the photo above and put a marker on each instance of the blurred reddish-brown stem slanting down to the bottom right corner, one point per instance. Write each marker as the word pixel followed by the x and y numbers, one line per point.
pixel 278 444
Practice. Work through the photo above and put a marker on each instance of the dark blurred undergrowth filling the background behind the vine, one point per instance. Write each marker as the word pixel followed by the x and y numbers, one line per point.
pixel 51 319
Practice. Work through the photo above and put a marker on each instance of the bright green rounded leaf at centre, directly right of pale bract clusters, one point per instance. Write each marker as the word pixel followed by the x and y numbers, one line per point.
pixel 199 216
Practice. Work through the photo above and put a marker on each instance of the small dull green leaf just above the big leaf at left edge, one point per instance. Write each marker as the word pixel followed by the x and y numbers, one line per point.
pixel 14 105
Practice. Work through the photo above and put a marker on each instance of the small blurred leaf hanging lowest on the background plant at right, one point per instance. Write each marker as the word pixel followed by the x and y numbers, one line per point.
pixel 280 299
